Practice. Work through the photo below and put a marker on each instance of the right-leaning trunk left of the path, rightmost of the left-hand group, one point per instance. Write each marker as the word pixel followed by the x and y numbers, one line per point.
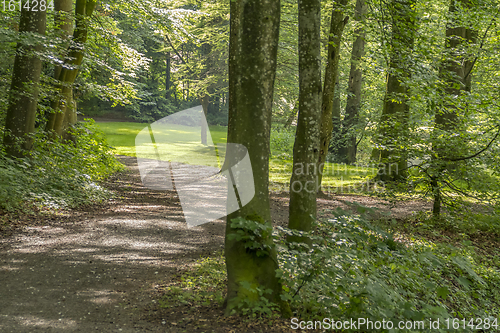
pixel 68 74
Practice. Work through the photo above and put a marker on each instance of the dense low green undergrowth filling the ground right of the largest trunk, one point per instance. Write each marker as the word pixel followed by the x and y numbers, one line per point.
pixel 356 270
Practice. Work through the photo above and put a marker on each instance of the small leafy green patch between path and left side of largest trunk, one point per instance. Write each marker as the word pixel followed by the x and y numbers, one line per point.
pixel 202 285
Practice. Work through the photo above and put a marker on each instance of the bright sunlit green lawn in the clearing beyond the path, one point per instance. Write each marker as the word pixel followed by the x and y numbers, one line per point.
pixel 121 136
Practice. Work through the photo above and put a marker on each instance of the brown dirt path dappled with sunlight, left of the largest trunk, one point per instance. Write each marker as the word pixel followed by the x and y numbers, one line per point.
pixel 96 272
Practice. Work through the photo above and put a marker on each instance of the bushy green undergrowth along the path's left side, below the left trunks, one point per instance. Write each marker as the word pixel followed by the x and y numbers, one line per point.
pixel 56 174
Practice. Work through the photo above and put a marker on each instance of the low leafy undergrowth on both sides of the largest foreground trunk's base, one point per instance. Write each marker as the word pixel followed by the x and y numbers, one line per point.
pixel 356 270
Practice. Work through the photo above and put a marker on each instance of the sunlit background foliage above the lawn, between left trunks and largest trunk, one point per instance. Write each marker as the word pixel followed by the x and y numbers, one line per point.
pixel 149 60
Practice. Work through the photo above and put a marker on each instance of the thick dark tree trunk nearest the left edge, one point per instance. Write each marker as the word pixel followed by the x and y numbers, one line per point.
pixel 23 97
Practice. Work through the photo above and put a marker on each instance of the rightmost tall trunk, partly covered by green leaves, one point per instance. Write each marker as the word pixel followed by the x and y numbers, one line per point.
pixel 456 75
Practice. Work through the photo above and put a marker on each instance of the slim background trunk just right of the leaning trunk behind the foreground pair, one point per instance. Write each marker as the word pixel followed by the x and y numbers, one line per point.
pixel 354 86
